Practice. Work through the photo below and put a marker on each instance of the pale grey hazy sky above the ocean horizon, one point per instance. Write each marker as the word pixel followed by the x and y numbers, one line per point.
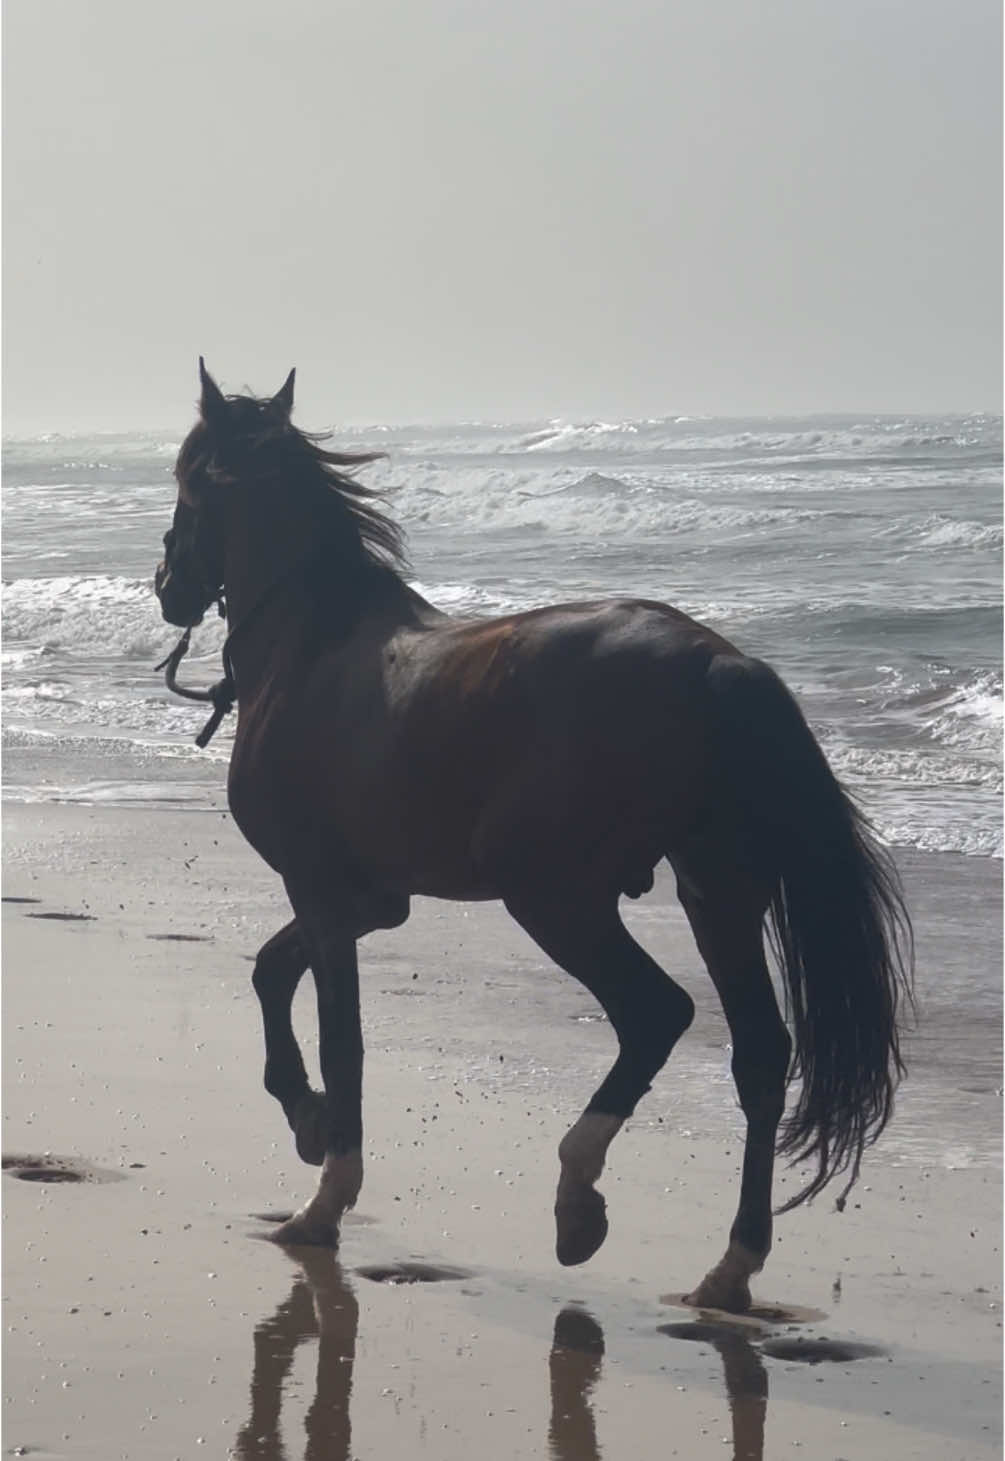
pixel 500 208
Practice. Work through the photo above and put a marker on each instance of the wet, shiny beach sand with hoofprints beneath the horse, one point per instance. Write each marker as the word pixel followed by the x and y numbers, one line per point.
pixel 145 1319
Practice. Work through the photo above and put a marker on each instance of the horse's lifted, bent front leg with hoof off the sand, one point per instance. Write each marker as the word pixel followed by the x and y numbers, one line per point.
pixel 278 971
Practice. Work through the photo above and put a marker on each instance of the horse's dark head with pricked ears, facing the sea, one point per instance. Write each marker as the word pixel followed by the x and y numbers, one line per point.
pixel 191 576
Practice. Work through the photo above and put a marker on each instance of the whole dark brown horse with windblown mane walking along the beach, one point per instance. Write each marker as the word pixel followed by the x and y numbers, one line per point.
pixel 550 760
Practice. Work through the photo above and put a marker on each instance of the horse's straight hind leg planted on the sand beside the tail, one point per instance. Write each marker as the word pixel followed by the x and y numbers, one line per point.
pixel 730 937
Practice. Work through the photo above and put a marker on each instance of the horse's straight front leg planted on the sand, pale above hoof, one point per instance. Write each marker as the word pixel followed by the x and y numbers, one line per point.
pixel 331 945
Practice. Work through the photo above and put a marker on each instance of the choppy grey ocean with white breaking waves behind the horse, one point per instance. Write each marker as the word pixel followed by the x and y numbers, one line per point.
pixel 861 557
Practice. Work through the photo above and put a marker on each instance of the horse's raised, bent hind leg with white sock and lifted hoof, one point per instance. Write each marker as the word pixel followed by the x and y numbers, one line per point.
pixel 649 1015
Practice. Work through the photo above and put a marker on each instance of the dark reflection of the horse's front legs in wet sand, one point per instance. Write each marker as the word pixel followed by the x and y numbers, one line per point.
pixel 321 1307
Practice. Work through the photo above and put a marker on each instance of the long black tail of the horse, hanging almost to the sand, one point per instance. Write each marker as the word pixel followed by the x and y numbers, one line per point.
pixel 838 923
